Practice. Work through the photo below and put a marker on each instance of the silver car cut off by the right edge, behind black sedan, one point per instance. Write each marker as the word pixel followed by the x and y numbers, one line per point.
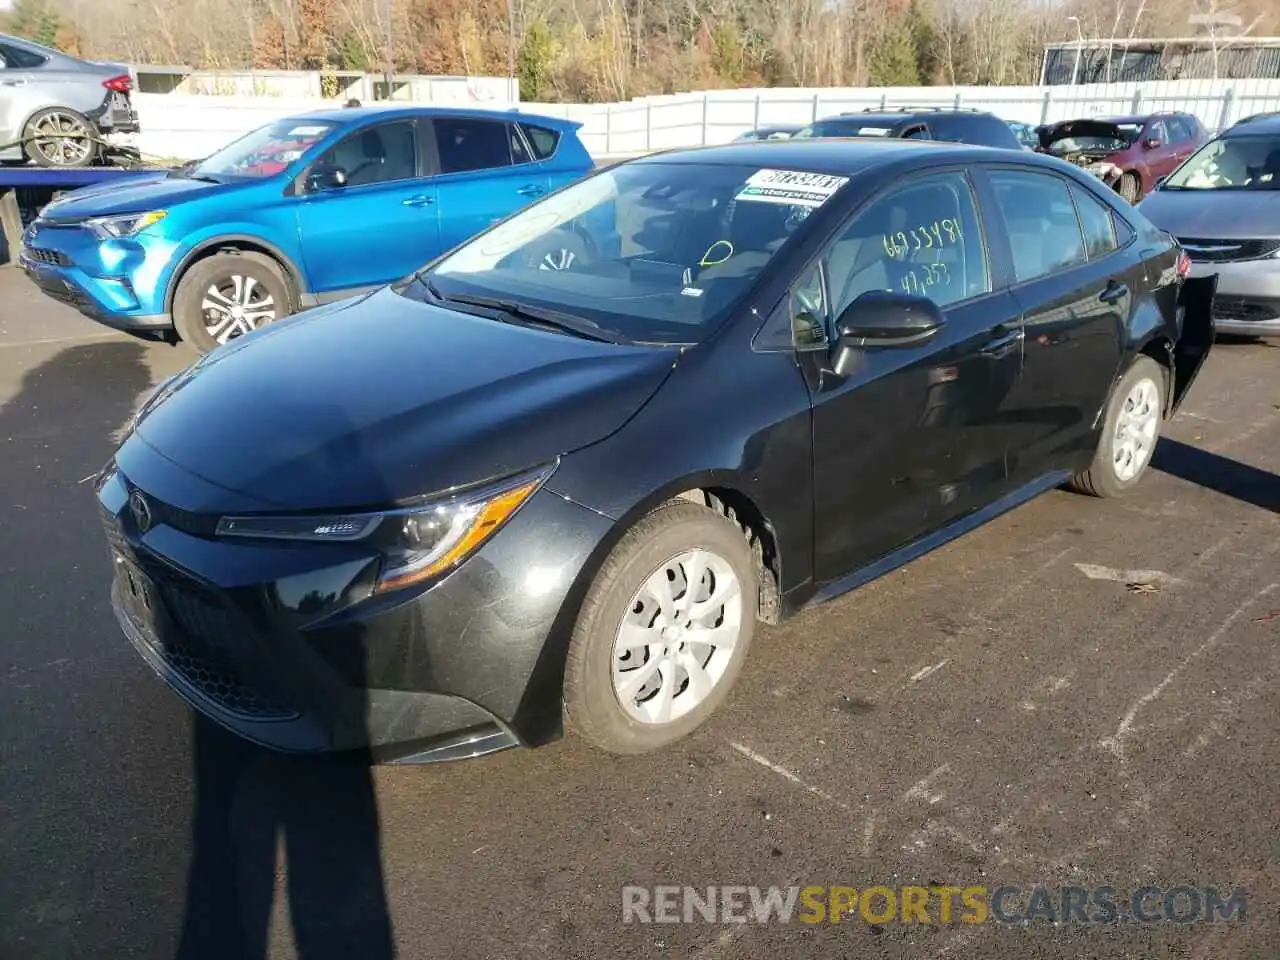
pixel 1223 205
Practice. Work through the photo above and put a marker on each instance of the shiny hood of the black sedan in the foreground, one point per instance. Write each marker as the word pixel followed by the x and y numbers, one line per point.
pixel 385 399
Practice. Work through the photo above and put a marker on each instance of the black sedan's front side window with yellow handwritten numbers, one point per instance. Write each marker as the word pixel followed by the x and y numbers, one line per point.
pixel 922 239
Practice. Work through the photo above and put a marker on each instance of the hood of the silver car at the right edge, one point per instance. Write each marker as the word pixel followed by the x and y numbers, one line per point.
pixel 1215 214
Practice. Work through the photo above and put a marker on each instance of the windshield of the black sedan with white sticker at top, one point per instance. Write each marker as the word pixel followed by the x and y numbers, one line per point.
pixel 650 252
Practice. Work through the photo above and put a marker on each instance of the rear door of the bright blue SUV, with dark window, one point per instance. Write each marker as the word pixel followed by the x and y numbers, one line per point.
pixel 486 173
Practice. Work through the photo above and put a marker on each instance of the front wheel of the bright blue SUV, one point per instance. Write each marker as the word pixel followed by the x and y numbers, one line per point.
pixel 204 305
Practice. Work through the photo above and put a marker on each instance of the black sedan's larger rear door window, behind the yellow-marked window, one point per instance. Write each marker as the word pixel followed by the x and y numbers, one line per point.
pixel 1044 232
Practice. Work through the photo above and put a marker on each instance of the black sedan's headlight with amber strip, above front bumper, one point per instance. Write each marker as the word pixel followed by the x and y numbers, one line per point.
pixel 418 542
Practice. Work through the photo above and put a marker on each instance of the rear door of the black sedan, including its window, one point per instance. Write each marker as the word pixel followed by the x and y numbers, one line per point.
pixel 1069 276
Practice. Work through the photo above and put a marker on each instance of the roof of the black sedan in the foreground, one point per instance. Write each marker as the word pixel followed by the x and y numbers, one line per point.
pixel 843 157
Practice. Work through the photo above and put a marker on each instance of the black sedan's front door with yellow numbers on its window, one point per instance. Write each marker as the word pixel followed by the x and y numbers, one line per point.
pixel 912 437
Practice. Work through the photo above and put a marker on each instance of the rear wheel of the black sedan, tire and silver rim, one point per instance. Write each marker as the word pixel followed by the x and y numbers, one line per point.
pixel 1130 433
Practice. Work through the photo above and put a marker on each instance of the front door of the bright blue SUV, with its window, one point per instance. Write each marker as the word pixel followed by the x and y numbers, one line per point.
pixel 380 227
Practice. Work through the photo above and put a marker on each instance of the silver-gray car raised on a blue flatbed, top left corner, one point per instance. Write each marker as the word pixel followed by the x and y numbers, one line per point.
pixel 57 109
